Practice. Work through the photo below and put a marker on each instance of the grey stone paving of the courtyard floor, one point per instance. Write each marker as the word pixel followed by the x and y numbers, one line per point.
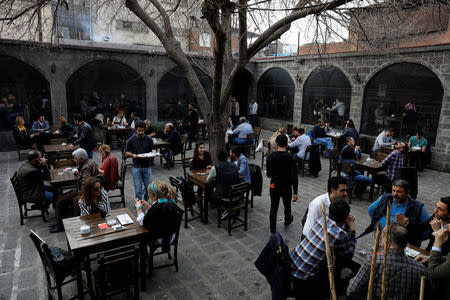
pixel 212 264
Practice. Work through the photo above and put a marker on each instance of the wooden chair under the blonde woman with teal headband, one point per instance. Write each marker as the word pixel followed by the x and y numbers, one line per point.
pixel 156 245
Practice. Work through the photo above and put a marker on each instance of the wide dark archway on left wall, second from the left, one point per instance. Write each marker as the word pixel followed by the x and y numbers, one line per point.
pixel 109 78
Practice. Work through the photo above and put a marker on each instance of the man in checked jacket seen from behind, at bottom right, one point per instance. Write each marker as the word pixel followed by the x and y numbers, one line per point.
pixel 402 276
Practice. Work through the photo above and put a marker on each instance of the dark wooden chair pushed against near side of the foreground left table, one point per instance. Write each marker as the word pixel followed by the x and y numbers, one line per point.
pixel 118 269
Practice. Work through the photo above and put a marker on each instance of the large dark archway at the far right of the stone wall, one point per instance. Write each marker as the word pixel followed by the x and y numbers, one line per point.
pixel 389 90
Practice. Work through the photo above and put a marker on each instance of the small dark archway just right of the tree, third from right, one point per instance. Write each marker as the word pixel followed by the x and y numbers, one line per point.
pixel 276 94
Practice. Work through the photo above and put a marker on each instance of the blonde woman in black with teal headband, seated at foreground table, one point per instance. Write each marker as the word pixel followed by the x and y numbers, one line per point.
pixel 159 217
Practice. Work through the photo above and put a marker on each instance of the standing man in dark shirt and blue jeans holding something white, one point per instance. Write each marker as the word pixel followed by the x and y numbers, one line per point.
pixel 142 172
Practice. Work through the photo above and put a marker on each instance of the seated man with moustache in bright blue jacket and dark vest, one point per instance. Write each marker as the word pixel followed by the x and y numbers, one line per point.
pixel 403 209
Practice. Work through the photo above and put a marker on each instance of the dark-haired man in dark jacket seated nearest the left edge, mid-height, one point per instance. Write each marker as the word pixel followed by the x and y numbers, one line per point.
pixel 30 178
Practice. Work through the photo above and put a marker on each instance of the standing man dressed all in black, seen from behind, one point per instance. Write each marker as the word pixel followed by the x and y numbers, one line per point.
pixel 282 171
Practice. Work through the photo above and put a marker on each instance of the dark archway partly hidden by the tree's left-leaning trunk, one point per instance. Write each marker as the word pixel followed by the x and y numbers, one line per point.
pixel 174 94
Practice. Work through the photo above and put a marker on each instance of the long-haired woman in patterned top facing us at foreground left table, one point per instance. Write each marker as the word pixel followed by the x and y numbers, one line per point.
pixel 93 198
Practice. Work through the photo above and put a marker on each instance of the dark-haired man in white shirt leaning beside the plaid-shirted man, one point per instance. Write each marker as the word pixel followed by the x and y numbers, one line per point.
pixel 337 188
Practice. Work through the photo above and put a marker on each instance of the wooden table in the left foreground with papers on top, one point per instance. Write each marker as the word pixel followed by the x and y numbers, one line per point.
pixel 81 246
